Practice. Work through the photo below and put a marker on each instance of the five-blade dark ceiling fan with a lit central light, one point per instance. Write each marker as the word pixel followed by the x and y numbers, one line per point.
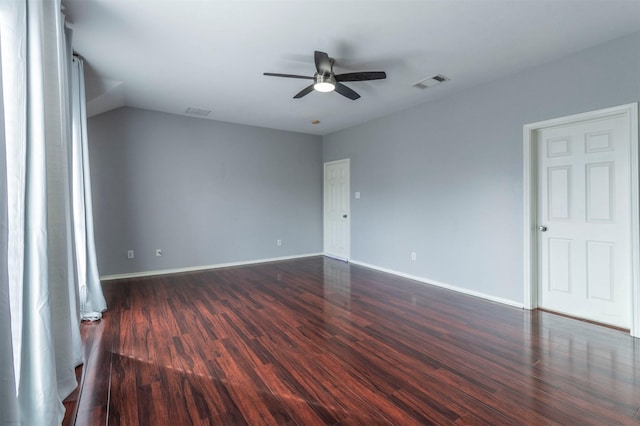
pixel 325 80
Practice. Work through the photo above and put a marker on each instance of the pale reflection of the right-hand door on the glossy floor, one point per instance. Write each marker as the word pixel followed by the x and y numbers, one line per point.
pixel 587 363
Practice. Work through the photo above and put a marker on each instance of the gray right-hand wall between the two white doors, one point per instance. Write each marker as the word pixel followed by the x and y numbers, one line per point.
pixel 445 179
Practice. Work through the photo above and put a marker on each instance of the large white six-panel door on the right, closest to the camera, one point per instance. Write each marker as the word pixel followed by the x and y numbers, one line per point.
pixel 584 224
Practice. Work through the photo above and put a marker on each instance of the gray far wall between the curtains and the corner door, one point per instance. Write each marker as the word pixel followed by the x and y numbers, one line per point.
pixel 204 192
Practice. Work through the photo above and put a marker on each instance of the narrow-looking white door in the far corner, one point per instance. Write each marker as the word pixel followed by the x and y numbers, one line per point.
pixel 336 209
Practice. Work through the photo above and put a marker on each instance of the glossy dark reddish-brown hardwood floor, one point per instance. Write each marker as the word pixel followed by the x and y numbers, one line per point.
pixel 318 341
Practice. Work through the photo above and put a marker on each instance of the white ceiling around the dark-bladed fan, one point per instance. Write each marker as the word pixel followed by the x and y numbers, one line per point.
pixel 168 55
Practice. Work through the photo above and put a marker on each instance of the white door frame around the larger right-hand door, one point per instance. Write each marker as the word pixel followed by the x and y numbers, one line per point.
pixel 629 111
